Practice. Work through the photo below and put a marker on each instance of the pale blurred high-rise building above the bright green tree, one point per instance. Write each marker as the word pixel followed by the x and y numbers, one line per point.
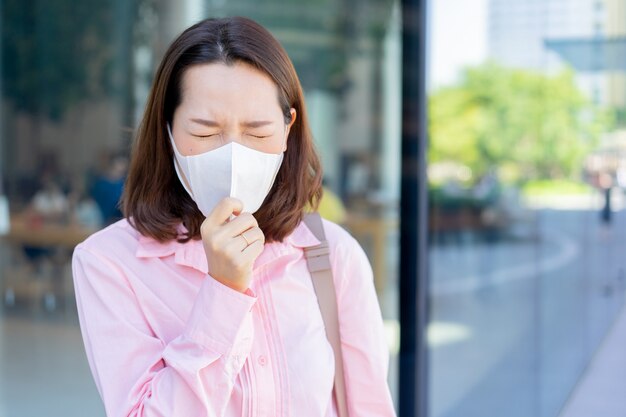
pixel 520 34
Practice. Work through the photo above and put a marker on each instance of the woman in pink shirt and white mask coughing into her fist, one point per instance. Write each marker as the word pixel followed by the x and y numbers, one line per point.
pixel 200 303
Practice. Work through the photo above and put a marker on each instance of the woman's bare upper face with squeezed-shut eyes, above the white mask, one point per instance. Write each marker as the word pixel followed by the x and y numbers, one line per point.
pixel 222 104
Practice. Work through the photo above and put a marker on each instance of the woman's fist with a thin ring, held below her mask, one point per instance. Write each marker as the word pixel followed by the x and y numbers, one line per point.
pixel 231 247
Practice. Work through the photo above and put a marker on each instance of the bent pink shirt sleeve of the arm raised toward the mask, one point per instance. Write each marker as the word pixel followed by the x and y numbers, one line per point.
pixel 137 373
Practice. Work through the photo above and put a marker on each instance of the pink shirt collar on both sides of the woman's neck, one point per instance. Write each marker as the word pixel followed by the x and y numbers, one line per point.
pixel 192 254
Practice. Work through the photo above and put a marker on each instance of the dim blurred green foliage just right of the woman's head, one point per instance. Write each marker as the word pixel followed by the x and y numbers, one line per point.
pixel 320 36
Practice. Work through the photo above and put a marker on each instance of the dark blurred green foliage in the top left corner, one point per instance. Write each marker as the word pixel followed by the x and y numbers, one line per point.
pixel 57 53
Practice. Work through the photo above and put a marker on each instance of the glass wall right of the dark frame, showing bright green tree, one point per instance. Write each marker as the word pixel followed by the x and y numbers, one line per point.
pixel 526 199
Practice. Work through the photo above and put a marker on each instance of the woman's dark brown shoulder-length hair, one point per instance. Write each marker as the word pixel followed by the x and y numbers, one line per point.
pixel 154 200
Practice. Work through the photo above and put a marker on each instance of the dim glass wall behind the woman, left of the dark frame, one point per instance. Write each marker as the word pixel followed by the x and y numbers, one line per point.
pixel 74 80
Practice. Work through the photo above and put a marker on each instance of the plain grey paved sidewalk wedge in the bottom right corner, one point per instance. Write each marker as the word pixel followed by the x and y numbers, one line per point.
pixel 601 391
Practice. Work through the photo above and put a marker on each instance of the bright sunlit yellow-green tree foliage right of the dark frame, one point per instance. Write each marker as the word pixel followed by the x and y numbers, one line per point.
pixel 529 124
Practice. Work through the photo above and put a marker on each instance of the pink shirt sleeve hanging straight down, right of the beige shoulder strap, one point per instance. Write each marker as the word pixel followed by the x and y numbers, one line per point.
pixel 365 351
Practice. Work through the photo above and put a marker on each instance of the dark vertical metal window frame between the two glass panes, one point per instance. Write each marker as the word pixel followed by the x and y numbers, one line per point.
pixel 413 359
